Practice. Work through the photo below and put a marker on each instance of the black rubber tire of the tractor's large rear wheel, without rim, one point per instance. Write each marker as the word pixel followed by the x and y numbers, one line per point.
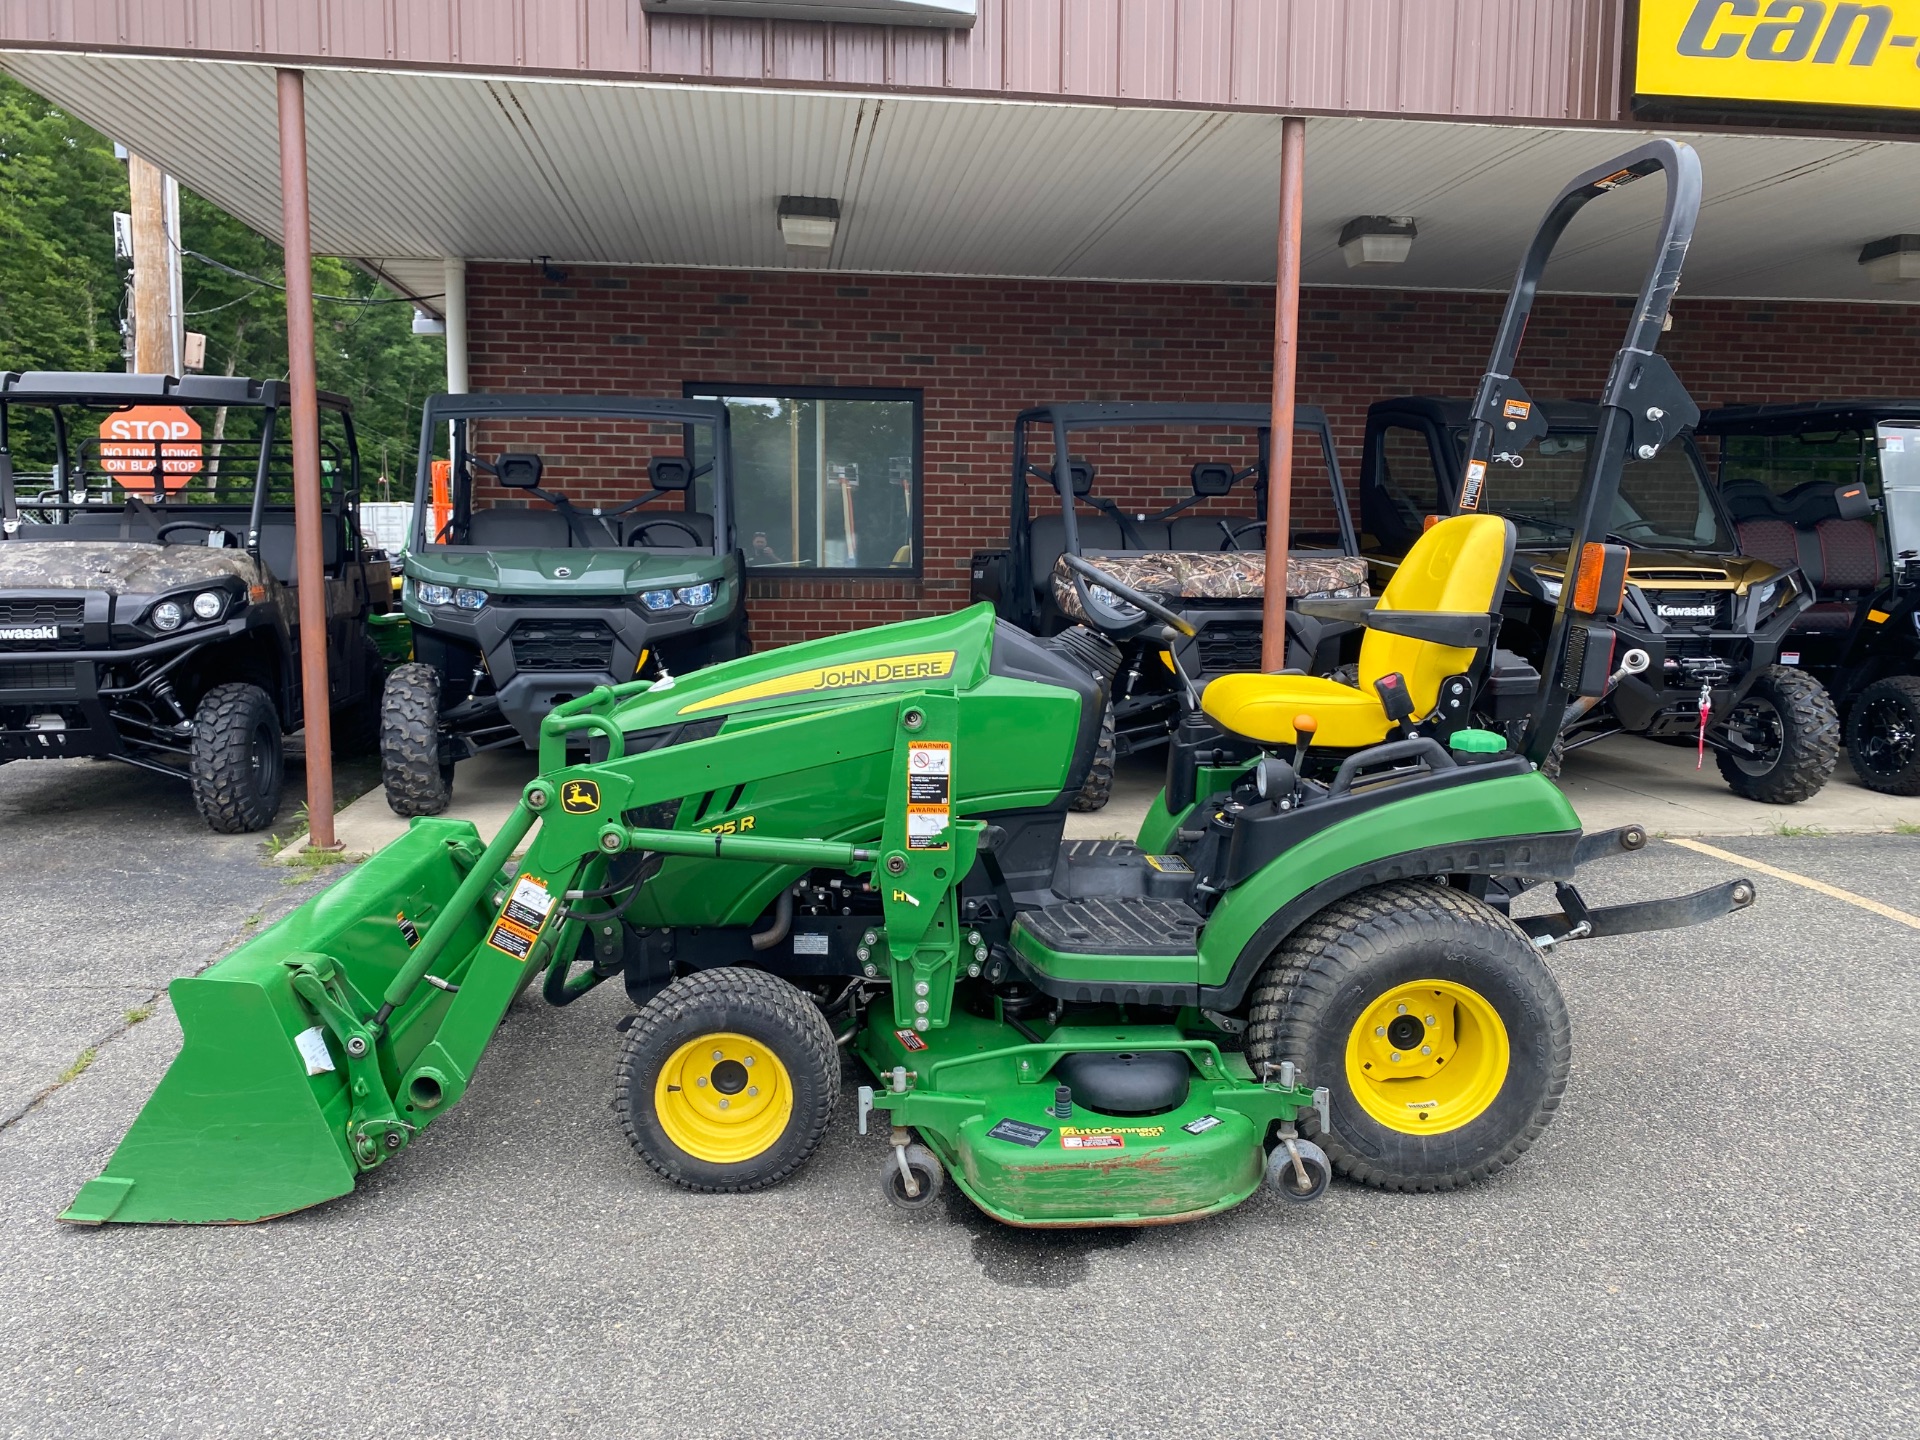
pixel 1337 965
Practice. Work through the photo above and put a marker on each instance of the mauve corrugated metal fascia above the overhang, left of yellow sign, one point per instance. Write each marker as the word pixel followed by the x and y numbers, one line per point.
pixel 1552 60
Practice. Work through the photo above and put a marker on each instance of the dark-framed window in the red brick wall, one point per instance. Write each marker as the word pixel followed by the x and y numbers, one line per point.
pixel 825 479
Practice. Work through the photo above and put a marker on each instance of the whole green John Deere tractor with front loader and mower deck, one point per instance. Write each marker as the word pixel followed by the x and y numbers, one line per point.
pixel 857 846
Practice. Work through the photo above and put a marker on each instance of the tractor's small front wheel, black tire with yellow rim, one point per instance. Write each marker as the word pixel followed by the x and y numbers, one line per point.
pixel 729 1080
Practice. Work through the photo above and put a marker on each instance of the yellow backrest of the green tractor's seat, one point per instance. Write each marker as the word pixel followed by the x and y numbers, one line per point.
pixel 1460 567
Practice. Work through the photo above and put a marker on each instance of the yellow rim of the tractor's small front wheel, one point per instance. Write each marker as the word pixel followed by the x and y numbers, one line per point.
pixel 723 1099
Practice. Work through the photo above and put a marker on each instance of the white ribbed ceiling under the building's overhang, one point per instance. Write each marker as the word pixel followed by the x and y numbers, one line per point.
pixel 408 168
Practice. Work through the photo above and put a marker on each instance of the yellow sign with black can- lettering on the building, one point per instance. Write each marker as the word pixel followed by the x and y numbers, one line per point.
pixel 1785 53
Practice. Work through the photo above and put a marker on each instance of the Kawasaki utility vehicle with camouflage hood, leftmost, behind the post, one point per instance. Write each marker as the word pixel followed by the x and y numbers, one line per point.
pixel 149 588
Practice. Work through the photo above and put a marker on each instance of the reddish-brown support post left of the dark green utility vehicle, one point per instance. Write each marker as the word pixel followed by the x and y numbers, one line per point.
pixel 306 431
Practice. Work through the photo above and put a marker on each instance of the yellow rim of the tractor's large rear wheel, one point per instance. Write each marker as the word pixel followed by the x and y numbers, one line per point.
pixel 1428 1057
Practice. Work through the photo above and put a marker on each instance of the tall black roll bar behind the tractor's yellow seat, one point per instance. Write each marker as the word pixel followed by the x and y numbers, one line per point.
pixel 1643 406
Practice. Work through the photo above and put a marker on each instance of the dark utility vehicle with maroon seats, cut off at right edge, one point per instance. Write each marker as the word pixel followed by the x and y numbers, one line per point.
pixel 1804 485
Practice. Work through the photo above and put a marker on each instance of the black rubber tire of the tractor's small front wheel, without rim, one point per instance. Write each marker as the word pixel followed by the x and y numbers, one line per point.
pixel 736 1001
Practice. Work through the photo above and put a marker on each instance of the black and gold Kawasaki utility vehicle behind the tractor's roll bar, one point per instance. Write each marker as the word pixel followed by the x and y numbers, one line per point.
pixel 1700 636
